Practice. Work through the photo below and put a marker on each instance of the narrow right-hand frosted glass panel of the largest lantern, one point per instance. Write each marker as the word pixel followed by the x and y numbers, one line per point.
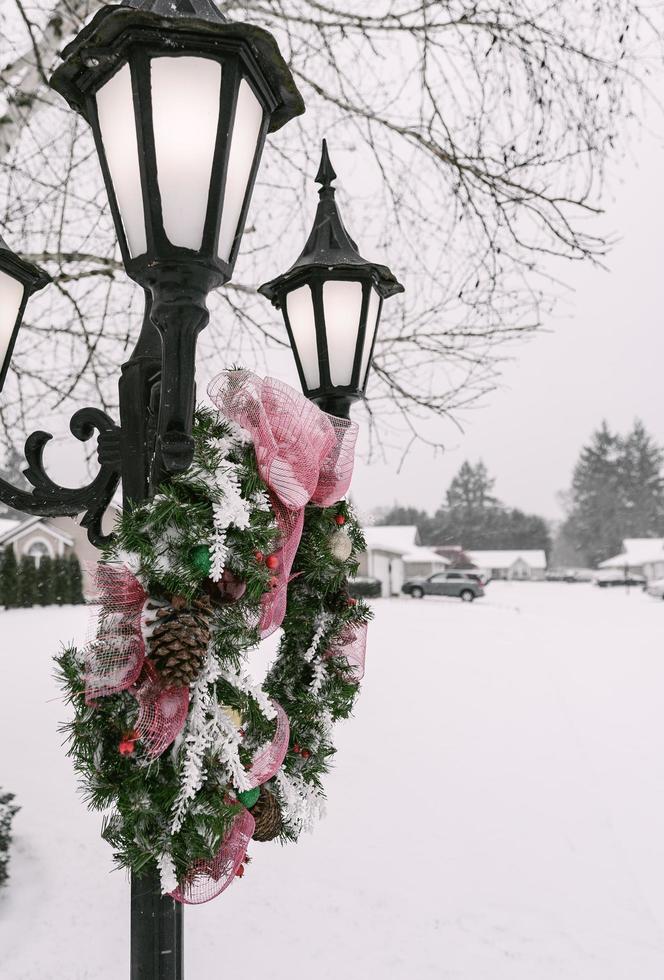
pixel 244 142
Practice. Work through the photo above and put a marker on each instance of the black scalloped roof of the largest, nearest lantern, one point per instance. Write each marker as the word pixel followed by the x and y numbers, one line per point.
pixel 101 46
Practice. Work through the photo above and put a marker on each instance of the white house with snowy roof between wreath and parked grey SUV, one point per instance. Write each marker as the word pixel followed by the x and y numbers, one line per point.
pixel 394 554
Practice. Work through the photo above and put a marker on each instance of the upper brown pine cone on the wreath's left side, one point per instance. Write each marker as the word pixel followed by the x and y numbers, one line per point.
pixel 179 639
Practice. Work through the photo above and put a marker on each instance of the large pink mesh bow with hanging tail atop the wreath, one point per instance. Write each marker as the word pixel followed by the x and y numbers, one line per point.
pixel 303 455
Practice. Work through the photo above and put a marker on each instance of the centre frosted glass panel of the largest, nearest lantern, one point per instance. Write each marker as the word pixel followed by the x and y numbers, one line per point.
pixel 186 94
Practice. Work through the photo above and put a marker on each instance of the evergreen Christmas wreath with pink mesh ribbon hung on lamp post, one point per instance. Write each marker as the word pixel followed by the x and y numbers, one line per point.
pixel 189 758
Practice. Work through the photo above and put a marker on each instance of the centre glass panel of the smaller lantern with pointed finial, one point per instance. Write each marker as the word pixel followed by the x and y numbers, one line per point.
pixel 343 307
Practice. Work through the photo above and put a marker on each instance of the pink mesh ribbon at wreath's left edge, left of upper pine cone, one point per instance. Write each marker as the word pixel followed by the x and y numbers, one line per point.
pixel 114 656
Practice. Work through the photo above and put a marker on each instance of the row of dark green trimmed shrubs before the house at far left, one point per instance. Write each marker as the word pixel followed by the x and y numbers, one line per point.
pixel 51 581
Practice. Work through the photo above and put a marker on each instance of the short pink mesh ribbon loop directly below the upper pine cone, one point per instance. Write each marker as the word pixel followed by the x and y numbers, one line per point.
pixel 162 711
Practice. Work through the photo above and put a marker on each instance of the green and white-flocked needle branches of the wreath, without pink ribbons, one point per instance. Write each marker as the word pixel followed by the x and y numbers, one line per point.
pixel 203 543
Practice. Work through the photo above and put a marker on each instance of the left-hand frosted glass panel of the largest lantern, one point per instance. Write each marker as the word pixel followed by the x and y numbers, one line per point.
pixel 115 108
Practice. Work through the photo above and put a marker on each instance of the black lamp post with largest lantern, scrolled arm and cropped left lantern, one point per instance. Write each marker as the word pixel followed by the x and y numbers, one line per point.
pixel 180 102
